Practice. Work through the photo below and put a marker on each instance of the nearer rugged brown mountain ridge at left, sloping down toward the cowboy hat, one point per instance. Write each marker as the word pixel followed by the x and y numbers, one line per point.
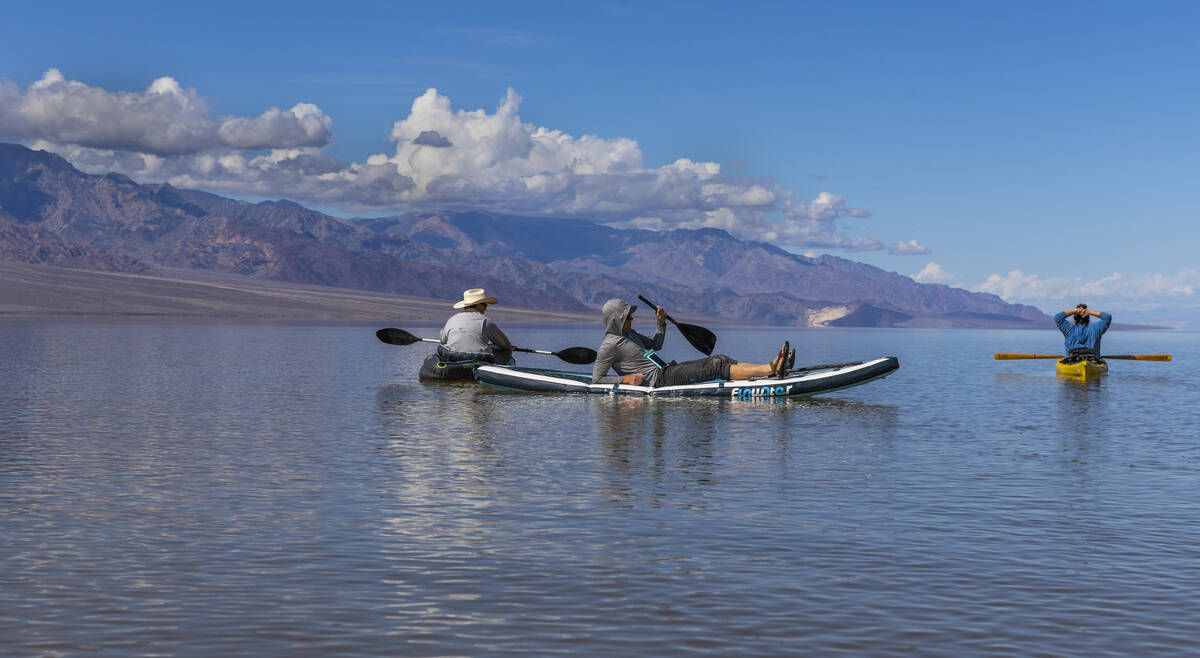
pixel 157 226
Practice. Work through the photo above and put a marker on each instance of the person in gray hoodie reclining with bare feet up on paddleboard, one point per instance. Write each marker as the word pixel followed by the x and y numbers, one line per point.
pixel 637 362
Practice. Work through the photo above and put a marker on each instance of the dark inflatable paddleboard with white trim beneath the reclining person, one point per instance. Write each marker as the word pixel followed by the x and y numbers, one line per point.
pixel 801 384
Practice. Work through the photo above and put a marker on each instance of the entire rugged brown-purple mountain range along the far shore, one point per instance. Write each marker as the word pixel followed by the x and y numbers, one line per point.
pixel 51 213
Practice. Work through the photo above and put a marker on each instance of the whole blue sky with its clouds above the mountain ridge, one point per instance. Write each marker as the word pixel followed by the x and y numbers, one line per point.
pixel 1045 152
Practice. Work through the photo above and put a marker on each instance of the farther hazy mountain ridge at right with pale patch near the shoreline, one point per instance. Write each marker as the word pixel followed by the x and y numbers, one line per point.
pixel 743 279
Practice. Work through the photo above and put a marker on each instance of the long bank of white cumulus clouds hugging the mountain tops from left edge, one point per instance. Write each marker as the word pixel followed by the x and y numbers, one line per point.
pixel 442 158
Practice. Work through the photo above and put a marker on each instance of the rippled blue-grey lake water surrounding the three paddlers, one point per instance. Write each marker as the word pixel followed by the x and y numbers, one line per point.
pixel 292 490
